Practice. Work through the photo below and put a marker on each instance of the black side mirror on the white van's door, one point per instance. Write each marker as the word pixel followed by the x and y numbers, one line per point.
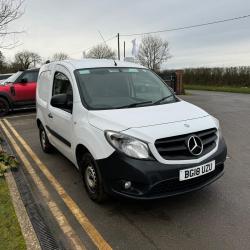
pixel 62 101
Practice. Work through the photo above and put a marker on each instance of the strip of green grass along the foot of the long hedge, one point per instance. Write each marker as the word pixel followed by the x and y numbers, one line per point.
pixel 244 90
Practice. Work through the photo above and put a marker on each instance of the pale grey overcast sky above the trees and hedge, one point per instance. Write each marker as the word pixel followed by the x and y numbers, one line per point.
pixel 72 27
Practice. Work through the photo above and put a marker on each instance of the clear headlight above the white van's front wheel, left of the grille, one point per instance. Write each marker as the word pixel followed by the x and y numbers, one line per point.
pixel 128 145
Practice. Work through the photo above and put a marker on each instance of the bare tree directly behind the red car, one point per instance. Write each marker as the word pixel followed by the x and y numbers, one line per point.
pixel 26 59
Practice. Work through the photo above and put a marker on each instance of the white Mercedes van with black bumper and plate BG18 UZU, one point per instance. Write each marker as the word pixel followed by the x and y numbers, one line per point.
pixel 126 131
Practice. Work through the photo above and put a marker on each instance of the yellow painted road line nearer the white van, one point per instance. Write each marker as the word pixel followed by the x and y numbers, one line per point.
pixel 88 227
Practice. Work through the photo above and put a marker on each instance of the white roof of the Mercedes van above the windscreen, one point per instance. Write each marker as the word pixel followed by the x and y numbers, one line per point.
pixel 96 63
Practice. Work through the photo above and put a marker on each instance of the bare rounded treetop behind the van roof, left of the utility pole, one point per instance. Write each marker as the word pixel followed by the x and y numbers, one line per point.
pixel 101 51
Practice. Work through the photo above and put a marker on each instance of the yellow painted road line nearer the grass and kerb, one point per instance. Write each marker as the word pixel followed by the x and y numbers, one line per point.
pixel 54 209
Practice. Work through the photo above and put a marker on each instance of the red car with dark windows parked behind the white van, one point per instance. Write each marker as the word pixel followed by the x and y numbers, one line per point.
pixel 18 91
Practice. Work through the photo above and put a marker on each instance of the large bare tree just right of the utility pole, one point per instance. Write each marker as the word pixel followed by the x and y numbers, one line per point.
pixel 153 52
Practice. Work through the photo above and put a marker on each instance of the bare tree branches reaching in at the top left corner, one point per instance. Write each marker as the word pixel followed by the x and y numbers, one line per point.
pixel 10 10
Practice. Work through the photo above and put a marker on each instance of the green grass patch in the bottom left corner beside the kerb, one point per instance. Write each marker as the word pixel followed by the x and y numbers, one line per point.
pixel 10 233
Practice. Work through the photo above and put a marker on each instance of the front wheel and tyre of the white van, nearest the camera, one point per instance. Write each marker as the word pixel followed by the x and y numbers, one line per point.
pixel 92 179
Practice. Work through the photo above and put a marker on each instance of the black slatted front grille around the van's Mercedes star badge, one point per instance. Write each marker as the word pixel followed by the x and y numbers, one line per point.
pixel 175 148
